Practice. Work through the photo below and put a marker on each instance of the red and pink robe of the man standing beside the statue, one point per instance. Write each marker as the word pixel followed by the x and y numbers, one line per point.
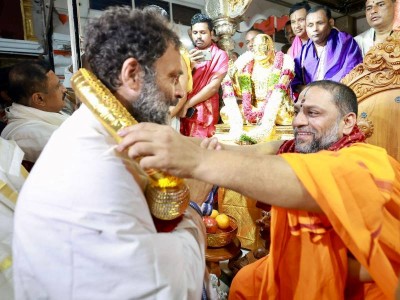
pixel 202 123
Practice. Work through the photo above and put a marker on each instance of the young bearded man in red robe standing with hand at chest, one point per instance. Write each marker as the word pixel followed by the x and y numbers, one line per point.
pixel 210 65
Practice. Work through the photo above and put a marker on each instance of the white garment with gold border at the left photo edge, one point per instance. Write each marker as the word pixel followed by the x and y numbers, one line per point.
pixel 12 176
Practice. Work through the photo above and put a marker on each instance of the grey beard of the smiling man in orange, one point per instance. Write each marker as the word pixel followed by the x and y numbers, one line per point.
pixel 326 140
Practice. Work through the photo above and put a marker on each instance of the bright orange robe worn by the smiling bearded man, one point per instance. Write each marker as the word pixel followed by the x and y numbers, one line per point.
pixel 358 189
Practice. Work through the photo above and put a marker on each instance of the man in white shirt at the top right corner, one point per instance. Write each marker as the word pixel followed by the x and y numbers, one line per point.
pixel 380 16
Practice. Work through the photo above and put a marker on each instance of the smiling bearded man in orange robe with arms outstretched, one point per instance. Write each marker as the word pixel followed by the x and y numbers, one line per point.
pixel 335 214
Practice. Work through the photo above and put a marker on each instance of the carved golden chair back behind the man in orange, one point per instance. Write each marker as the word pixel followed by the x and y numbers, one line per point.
pixel 376 83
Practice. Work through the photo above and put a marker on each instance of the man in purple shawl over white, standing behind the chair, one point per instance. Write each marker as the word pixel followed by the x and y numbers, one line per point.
pixel 328 54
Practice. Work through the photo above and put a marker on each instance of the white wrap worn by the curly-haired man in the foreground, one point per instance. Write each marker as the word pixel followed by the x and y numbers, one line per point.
pixel 83 229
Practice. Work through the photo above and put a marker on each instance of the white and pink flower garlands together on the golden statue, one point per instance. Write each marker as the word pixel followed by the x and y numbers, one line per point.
pixel 278 92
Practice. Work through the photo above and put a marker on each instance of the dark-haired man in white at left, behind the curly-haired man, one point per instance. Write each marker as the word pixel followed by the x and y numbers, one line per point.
pixel 38 97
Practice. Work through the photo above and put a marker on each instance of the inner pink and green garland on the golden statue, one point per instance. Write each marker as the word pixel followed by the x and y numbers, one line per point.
pixel 255 115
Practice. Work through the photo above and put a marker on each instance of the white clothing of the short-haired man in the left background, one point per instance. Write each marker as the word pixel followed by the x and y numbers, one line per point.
pixel 31 128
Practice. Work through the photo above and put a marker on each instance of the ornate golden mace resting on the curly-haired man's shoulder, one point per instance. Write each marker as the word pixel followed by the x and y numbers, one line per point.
pixel 167 196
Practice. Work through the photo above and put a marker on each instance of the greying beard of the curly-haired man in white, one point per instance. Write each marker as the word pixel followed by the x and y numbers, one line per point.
pixel 152 104
